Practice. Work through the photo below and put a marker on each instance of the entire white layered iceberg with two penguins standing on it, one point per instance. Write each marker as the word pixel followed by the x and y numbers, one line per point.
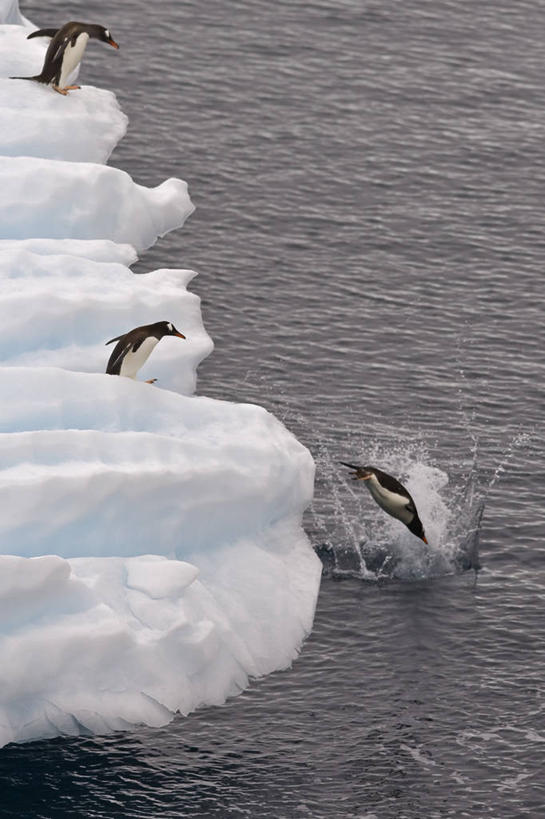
pixel 152 557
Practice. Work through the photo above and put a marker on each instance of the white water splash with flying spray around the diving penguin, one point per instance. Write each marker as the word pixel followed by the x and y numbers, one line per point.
pixel 351 534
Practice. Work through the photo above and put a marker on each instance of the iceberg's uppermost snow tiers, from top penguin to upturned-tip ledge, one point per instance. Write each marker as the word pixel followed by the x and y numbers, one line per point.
pixel 51 150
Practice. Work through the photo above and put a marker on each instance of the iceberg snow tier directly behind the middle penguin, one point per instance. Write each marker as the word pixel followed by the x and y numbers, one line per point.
pixel 60 310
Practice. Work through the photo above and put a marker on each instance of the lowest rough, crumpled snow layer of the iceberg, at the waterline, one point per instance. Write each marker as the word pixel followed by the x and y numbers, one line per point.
pixel 95 645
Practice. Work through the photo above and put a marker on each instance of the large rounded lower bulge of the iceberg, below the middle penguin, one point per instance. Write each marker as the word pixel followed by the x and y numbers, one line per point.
pixel 188 569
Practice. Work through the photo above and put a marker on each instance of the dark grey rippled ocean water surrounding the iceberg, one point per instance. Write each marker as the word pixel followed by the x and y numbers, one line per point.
pixel 370 187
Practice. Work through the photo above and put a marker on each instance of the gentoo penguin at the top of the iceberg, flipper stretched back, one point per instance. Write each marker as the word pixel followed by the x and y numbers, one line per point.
pixel 65 52
